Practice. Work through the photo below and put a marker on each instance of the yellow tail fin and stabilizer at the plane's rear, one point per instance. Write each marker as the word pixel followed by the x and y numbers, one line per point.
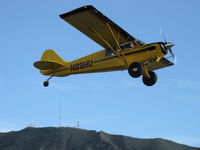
pixel 49 60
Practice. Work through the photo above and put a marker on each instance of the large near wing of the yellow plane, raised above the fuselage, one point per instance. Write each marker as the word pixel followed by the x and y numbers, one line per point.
pixel 98 27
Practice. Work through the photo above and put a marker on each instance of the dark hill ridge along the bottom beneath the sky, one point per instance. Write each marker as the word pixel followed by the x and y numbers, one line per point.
pixel 65 138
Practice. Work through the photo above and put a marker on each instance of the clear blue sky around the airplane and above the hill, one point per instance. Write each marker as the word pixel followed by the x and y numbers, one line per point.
pixel 112 102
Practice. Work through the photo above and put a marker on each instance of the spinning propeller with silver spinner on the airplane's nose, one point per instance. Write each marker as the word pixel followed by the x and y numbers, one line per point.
pixel 168 45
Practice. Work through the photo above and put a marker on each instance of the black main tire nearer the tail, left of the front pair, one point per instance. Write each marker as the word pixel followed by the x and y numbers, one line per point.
pixel 135 70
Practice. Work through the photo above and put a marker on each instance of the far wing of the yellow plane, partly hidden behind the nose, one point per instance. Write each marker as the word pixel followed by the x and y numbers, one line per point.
pixel 161 64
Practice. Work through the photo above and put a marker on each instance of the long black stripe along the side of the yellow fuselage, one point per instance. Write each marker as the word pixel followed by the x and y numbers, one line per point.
pixel 134 52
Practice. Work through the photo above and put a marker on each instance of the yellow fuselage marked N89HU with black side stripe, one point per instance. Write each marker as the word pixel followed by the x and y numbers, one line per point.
pixel 104 60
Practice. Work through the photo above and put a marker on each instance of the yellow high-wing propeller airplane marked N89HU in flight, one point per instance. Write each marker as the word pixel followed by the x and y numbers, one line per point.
pixel 121 50
